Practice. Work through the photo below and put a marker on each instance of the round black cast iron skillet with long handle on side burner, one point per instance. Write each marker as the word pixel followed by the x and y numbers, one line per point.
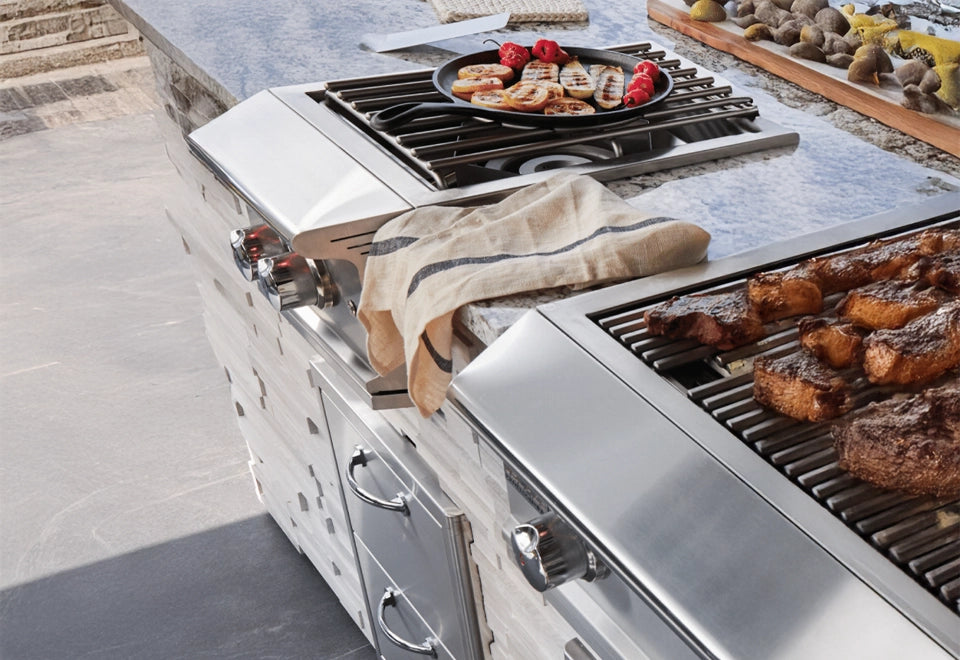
pixel 446 74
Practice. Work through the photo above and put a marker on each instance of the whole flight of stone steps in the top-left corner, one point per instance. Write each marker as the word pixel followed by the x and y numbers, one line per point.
pixel 44 35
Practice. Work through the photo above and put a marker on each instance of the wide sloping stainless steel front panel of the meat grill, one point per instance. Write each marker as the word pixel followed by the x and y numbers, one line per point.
pixel 716 561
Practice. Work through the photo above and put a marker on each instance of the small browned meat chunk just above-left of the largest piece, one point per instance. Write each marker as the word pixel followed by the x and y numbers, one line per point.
pixel 800 386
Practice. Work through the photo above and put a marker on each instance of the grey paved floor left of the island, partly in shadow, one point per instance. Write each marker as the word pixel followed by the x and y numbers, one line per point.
pixel 129 527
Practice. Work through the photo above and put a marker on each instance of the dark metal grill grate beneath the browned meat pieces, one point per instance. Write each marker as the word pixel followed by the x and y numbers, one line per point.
pixel 921 535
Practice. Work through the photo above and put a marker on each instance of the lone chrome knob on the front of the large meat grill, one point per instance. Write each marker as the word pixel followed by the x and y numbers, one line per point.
pixel 549 553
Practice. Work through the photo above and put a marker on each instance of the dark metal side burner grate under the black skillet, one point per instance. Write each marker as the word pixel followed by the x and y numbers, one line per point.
pixel 453 150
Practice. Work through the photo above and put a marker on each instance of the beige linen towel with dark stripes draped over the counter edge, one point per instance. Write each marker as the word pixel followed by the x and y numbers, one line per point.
pixel 568 230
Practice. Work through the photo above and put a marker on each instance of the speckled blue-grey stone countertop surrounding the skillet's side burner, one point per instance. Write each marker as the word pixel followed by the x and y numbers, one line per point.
pixel 846 165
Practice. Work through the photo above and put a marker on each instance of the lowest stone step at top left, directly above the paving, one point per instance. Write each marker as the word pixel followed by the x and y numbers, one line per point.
pixel 15 65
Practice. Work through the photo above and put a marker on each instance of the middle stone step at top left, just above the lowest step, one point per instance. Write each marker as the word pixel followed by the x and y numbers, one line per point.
pixel 57 29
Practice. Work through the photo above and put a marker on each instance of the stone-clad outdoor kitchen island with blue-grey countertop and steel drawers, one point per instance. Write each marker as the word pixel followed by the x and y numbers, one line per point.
pixel 406 518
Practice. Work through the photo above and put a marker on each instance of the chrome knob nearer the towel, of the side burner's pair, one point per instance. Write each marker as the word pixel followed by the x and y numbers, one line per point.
pixel 289 280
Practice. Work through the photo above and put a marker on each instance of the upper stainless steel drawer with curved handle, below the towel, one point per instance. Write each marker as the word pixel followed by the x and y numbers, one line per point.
pixel 411 528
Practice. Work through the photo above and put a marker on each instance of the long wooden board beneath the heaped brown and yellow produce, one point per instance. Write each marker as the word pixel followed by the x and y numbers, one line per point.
pixel 940 130
